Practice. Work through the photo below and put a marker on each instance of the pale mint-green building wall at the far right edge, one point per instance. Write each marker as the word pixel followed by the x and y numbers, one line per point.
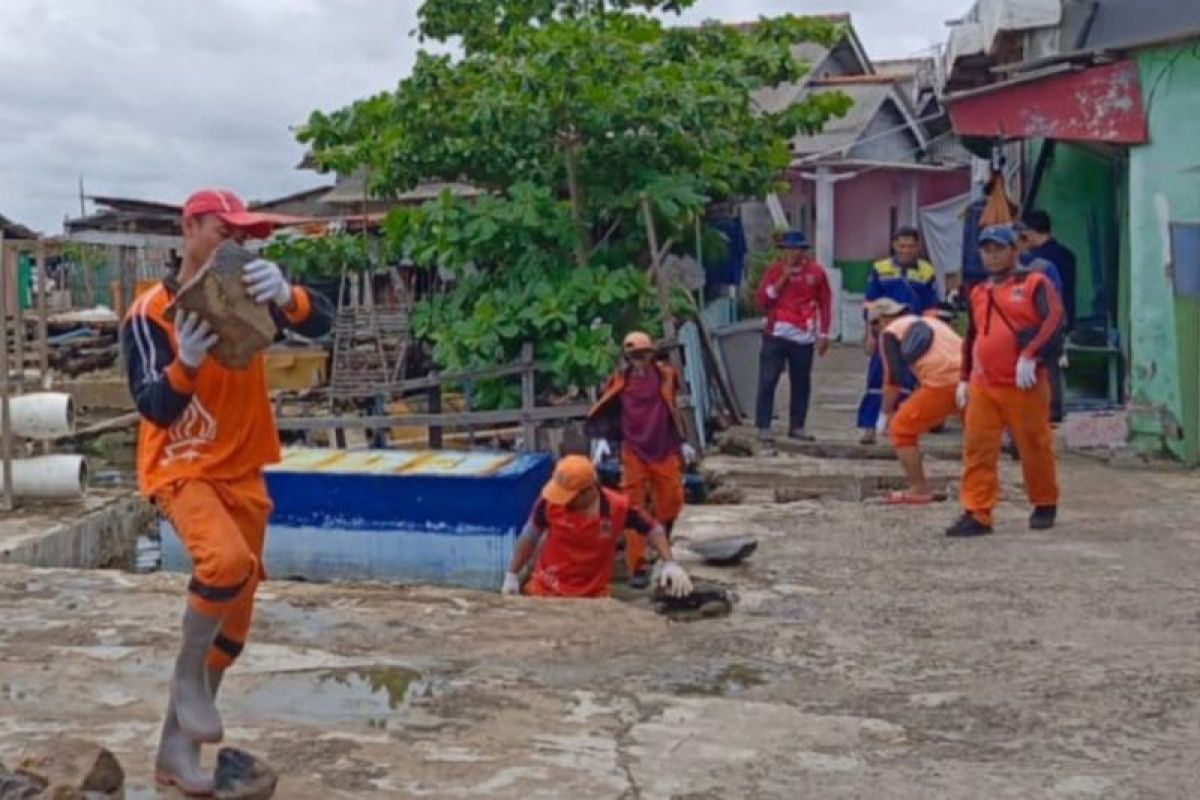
pixel 1165 187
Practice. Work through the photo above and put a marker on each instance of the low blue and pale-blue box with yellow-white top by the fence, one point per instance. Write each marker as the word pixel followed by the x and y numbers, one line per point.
pixel 405 516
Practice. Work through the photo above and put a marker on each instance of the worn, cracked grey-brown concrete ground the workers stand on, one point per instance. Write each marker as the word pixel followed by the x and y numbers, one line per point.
pixel 868 657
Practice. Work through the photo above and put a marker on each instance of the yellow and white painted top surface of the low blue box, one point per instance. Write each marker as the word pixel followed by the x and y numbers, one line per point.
pixel 447 464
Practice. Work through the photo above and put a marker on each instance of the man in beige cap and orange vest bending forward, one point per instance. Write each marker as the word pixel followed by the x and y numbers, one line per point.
pixel 931 351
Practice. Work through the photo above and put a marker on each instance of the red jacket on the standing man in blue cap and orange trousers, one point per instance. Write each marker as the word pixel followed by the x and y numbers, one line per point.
pixel 1010 320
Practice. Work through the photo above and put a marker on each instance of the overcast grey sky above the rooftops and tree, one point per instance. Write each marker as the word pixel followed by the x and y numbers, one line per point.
pixel 151 99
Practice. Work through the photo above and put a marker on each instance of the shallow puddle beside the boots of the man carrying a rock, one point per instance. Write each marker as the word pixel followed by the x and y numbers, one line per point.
pixel 370 696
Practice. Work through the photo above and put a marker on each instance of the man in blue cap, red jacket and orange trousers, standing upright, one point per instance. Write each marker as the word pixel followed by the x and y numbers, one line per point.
pixel 1016 317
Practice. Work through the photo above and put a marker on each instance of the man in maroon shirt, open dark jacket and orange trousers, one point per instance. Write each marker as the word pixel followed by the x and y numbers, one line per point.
pixel 639 411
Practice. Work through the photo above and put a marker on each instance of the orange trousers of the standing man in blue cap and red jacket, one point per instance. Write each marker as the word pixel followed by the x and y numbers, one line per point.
pixel 1027 414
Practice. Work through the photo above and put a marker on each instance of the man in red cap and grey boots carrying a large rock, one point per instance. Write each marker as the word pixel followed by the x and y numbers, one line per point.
pixel 206 435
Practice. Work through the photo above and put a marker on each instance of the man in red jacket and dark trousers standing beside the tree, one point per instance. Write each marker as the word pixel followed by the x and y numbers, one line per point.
pixel 795 294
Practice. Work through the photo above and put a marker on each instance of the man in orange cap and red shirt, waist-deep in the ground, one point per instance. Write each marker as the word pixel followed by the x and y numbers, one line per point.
pixel 574 531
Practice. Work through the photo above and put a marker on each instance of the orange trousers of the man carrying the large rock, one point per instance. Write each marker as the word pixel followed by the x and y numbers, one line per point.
pixel 224 527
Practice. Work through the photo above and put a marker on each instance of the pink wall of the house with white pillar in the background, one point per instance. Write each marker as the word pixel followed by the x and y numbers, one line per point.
pixel 863 206
